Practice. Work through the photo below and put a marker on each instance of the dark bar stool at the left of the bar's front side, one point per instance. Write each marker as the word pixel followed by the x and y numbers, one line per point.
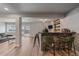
pixel 48 44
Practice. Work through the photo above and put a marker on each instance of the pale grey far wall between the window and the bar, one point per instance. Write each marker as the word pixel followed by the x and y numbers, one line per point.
pixel 36 27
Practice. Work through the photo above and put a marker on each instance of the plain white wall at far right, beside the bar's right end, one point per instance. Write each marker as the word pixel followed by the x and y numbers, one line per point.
pixel 72 20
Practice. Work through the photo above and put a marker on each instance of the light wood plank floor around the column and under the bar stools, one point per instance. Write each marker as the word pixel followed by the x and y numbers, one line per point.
pixel 27 49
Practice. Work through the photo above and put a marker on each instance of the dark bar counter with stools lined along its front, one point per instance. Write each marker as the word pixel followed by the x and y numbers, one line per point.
pixel 58 42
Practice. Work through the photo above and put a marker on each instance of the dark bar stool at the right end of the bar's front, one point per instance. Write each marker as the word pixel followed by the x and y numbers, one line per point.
pixel 68 43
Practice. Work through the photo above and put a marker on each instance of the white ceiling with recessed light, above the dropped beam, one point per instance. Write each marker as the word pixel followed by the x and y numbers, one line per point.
pixel 36 8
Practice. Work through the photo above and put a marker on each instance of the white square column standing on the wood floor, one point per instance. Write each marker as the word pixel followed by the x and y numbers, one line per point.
pixel 18 31
